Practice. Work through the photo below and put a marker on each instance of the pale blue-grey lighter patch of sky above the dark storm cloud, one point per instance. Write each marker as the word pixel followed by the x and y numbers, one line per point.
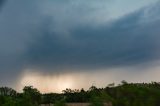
pixel 92 10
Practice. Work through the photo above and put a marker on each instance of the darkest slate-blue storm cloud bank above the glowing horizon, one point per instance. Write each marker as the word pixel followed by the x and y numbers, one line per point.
pixel 130 40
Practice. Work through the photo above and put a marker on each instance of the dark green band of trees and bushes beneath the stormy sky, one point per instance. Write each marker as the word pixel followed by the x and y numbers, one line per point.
pixel 125 94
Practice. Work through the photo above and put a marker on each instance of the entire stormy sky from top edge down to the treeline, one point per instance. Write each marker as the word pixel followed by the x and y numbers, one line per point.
pixel 58 44
